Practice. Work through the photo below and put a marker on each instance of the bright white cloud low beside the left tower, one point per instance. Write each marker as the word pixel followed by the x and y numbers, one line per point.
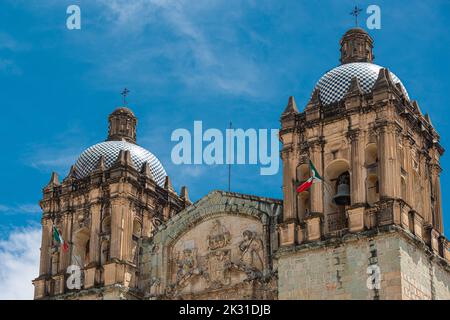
pixel 19 263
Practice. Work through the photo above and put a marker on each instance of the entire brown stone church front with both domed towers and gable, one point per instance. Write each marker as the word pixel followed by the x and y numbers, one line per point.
pixel 370 229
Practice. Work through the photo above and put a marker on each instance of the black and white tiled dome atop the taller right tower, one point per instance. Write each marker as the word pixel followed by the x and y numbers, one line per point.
pixel 334 84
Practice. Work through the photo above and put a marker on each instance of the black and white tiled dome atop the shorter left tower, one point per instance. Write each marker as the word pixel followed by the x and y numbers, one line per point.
pixel 90 157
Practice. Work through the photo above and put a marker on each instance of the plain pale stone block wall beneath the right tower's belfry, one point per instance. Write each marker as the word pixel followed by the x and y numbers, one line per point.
pixel 338 269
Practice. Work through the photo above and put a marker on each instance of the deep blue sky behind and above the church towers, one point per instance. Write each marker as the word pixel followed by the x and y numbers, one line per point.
pixel 215 61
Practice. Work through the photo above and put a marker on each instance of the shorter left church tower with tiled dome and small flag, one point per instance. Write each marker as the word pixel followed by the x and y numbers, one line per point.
pixel 116 194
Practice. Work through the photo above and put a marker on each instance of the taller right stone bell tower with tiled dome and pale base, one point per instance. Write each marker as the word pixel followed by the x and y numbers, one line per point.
pixel 372 229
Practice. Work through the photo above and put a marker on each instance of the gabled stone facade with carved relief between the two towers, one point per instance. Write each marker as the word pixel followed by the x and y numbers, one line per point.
pixel 218 249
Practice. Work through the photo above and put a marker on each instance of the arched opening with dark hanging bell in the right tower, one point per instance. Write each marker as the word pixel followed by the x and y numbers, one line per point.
pixel 337 194
